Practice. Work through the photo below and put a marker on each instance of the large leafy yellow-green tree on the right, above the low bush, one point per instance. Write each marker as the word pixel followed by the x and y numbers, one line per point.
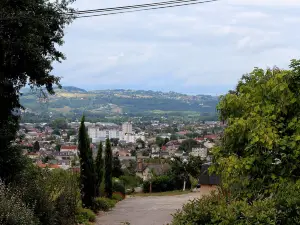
pixel 261 145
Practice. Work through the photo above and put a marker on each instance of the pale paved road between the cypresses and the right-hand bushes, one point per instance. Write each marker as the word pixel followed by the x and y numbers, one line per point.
pixel 154 210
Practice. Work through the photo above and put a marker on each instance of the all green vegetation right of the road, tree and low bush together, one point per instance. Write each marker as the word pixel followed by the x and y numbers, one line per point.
pixel 258 158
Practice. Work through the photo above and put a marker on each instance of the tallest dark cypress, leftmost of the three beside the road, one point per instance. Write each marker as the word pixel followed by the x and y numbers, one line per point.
pixel 87 169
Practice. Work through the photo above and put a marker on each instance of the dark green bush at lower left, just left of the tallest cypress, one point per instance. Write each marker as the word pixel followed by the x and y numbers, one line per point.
pixel 51 195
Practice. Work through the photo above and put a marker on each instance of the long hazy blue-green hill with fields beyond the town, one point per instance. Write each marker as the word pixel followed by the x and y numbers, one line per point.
pixel 74 101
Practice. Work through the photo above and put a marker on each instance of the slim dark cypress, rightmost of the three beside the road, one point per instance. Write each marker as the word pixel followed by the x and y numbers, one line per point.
pixel 108 169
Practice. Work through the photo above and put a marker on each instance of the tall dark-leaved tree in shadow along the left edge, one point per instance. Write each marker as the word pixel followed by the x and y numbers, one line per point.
pixel 30 31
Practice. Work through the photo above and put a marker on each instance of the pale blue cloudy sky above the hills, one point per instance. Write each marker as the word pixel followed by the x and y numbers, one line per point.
pixel 197 49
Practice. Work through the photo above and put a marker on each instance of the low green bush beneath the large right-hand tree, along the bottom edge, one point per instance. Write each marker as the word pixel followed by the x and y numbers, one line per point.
pixel 280 208
